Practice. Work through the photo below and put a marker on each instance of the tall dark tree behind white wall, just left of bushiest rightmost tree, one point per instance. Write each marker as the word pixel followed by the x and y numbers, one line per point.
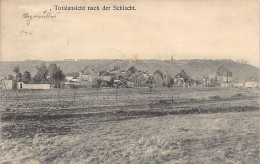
pixel 41 75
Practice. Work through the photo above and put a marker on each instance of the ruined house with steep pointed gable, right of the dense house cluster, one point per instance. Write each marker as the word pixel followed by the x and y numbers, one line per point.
pixel 182 80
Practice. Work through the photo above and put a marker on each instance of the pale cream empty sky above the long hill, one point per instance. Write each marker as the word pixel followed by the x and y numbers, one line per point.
pixel 186 29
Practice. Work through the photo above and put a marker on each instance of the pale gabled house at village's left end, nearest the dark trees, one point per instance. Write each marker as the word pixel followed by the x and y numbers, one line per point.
pixel 88 74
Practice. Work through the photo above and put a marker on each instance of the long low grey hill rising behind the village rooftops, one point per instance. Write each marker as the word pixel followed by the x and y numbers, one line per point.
pixel 195 68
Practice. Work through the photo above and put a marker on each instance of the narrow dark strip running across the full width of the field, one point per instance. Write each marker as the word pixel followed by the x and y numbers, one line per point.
pixel 121 113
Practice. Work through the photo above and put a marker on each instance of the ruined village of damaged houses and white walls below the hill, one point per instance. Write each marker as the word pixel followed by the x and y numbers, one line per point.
pixel 116 77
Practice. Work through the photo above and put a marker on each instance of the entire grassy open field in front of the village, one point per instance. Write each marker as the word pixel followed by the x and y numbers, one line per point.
pixel 130 125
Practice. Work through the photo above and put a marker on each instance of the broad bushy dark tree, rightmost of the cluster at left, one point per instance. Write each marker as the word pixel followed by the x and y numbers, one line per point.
pixel 55 74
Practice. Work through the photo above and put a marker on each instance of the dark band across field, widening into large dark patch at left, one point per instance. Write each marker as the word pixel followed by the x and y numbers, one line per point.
pixel 17 125
